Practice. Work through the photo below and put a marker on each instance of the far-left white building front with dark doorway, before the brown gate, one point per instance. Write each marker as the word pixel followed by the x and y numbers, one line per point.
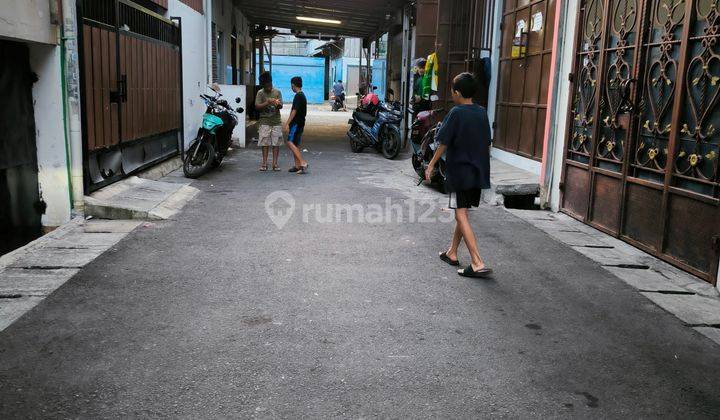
pixel 34 155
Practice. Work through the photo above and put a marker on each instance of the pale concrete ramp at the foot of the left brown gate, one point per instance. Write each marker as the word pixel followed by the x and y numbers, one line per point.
pixel 138 198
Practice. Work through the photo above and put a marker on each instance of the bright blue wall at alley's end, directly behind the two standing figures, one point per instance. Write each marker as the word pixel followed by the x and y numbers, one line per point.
pixel 311 69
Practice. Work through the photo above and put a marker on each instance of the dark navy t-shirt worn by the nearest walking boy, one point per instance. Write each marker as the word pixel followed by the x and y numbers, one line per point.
pixel 466 133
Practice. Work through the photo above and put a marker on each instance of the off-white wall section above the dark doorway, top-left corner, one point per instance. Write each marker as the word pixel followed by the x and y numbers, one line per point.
pixel 27 20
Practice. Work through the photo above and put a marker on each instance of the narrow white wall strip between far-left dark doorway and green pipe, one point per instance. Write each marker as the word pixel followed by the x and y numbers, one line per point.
pixel 50 134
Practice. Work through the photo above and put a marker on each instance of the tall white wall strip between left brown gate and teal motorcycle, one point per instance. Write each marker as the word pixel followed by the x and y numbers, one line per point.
pixel 194 57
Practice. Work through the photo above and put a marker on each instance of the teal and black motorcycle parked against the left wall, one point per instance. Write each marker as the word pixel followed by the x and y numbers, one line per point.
pixel 214 136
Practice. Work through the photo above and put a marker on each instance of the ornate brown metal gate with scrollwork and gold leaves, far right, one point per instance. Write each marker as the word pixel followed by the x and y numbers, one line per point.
pixel 641 154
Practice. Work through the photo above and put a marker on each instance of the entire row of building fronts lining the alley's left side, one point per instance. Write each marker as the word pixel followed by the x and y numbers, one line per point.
pixel 102 89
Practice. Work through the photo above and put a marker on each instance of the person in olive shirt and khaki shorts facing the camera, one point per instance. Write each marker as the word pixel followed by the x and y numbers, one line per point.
pixel 268 102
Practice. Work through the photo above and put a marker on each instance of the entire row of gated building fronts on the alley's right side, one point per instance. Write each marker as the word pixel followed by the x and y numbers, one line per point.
pixel 612 103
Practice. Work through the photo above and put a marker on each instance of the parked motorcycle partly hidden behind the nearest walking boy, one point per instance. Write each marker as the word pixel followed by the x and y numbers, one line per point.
pixel 423 137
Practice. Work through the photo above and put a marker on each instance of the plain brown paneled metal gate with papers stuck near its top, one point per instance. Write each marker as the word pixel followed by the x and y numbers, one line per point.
pixel 525 61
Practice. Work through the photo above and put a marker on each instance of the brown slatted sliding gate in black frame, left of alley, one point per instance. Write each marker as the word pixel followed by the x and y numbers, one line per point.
pixel 131 89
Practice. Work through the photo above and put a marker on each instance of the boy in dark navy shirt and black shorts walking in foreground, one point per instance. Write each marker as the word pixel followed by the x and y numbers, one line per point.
pixel 465 135
